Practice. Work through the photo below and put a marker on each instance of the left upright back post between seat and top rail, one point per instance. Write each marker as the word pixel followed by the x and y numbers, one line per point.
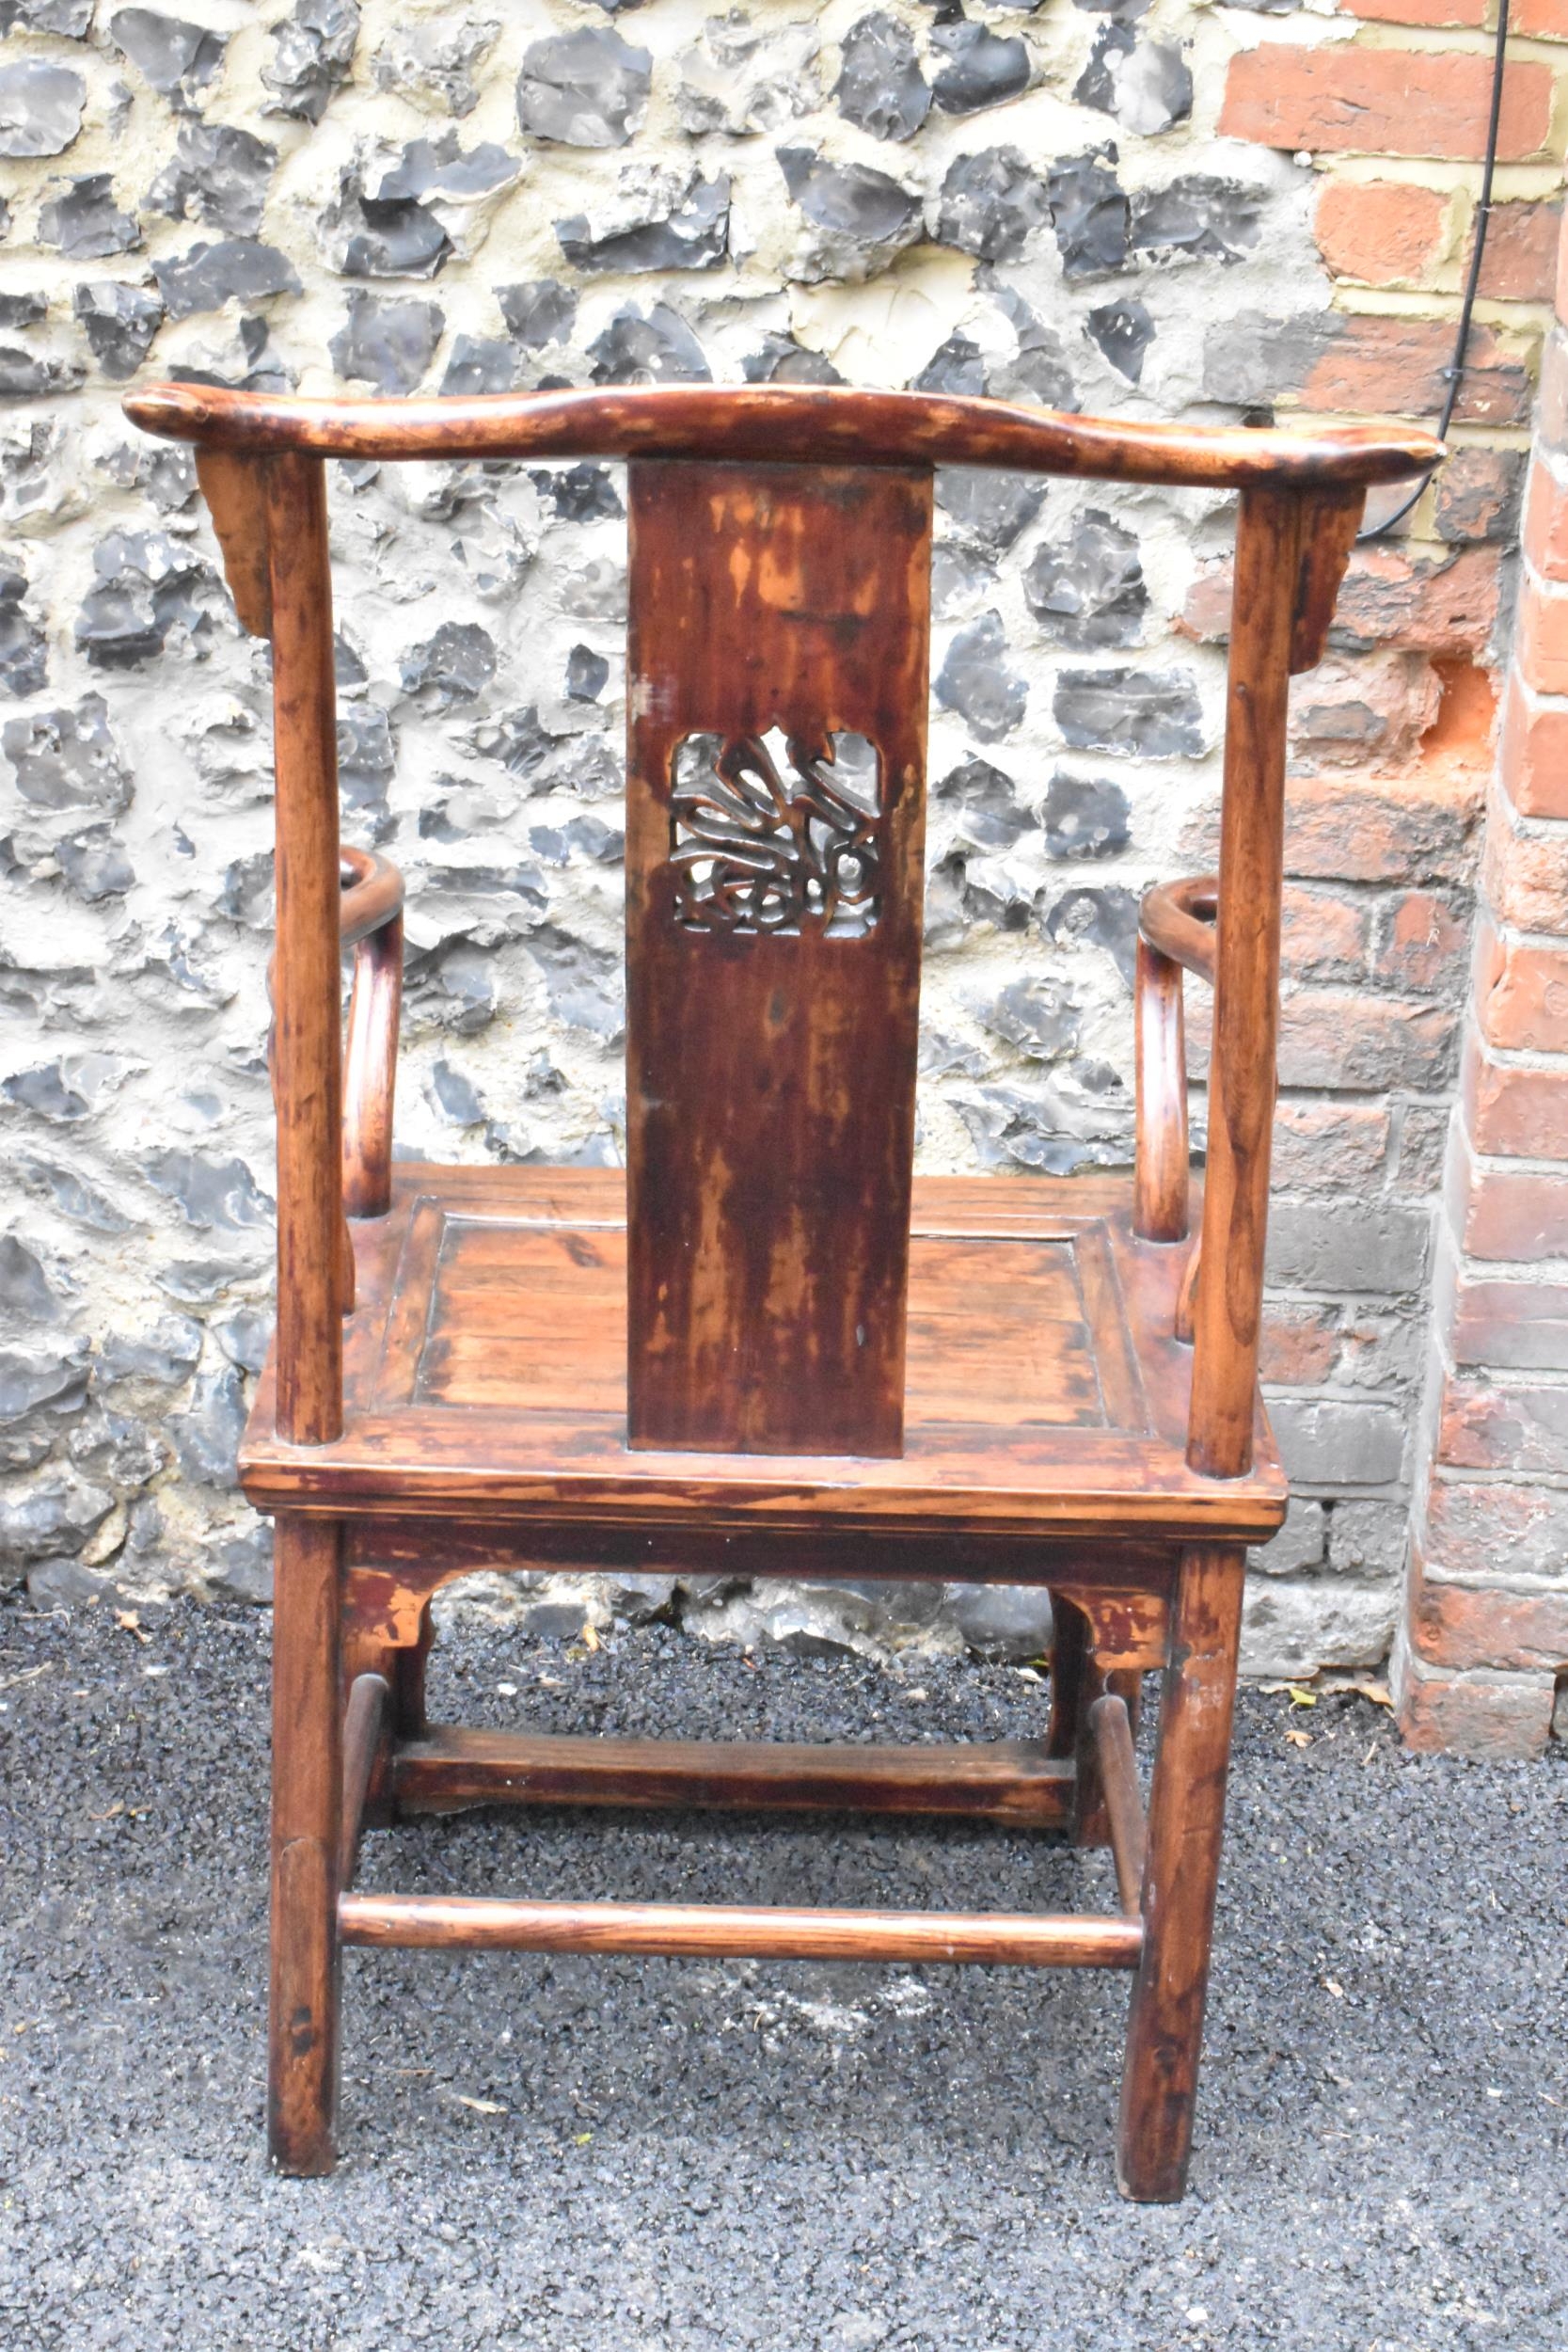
pixel 307 977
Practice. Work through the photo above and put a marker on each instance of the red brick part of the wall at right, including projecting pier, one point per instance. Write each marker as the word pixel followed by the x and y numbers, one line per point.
pixel 1386 1229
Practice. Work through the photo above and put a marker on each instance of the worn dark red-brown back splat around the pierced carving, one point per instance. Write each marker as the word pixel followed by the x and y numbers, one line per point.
pixel 772 1074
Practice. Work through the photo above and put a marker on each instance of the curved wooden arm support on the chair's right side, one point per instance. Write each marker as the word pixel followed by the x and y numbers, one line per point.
pixel 1174 937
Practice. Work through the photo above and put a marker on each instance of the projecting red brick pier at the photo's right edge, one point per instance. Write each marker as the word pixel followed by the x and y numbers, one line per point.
pixel 1485 1648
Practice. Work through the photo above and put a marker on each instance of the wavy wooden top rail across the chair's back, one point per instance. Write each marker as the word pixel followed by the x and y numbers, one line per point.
pixel 784 422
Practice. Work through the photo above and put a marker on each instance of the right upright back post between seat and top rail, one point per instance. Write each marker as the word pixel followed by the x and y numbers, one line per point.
pixel 1247 984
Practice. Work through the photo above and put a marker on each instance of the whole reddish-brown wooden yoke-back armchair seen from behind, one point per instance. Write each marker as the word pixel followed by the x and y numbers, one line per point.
pixel 768 1347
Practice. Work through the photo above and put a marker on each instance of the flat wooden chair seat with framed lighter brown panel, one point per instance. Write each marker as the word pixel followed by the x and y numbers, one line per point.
pixel 485 1365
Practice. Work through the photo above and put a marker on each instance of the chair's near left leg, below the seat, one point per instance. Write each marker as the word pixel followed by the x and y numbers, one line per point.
pixel 307 1808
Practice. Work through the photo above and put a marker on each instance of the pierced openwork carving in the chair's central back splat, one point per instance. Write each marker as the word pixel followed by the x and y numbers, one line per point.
pixel 758 855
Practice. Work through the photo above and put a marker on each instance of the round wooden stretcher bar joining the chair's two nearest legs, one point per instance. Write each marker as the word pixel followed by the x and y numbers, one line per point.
pixel 765 1932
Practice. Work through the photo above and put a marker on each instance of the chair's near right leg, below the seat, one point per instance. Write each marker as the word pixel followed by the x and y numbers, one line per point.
pixel 1181 1878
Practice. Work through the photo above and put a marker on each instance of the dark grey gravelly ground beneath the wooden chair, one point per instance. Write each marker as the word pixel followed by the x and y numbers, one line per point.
pixel 664 2156
